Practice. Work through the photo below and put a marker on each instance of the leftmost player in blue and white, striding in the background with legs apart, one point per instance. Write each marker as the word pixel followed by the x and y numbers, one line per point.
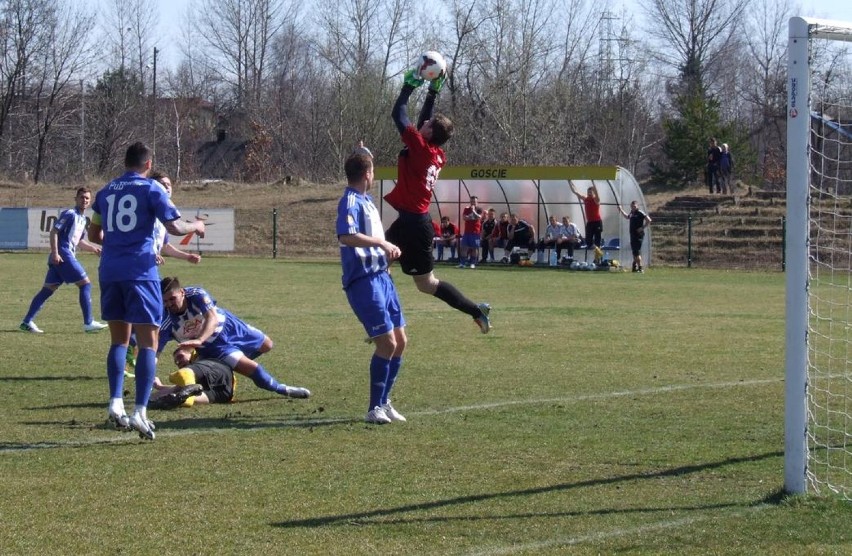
pixel 63 266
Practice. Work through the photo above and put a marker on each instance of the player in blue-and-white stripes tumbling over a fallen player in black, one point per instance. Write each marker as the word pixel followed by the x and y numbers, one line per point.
pixel 193 319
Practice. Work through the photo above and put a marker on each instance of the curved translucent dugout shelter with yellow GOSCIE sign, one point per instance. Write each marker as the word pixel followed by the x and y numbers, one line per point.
pixel 533 193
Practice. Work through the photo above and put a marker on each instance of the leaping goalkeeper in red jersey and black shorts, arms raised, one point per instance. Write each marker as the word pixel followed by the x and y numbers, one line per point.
pixel 419 163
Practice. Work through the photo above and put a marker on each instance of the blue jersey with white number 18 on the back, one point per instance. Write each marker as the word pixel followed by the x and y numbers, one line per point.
pixel 126 210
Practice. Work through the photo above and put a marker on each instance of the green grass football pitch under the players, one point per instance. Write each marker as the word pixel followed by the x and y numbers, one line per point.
pixel 606 412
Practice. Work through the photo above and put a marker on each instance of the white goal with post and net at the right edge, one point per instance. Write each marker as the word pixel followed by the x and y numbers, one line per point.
pixel 818 387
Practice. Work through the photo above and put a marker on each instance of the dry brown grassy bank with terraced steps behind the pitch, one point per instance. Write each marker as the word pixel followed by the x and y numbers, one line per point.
pixel 728 231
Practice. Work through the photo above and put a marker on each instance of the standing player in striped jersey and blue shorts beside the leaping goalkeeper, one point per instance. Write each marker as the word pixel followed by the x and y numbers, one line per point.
pixel 365 256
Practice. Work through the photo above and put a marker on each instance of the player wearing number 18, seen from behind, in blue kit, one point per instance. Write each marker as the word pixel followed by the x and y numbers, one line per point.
pixel 125 211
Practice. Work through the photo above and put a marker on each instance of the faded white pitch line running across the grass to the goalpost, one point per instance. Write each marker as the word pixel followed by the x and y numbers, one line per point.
pixel 318 422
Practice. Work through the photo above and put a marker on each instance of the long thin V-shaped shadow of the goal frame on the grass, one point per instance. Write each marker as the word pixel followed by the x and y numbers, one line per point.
pixel 381 515
